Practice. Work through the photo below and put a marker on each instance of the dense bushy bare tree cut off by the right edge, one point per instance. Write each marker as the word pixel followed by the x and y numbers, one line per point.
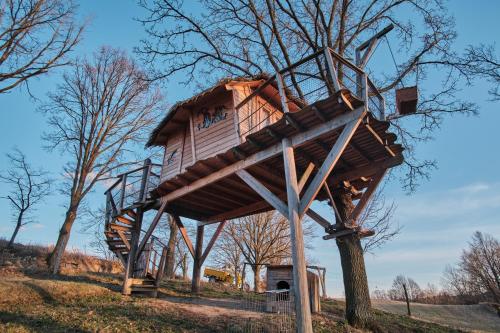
pixel 477 275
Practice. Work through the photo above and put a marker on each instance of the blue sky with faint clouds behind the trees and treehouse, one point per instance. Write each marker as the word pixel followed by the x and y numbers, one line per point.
pixel 437 221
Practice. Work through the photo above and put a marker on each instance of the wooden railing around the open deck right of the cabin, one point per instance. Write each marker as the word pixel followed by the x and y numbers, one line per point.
pixel 314 78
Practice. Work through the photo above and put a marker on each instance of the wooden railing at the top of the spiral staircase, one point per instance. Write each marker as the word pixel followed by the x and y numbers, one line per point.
pixel 131 188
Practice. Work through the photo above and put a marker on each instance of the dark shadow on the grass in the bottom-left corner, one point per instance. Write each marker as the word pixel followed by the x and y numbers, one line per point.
pixel 36 324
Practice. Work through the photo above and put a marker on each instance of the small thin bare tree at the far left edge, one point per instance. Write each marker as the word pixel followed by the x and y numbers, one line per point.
pixel 28 187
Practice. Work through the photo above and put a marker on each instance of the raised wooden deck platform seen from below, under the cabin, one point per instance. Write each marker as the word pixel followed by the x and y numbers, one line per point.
pixel 211 191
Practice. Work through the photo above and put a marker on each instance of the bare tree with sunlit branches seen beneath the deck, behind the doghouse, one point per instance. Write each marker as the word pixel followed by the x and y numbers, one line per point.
pixel 263 239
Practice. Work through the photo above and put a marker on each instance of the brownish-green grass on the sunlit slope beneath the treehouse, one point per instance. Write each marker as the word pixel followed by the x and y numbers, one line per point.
pixel 92 302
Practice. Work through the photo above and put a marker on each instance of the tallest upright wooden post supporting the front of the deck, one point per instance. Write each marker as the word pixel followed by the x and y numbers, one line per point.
pixel 301 293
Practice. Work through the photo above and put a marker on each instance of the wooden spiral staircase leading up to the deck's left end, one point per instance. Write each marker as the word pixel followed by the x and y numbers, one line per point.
pixel 125 206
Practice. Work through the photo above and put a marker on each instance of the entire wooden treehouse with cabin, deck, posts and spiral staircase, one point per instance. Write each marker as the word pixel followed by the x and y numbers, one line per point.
pixel 248 145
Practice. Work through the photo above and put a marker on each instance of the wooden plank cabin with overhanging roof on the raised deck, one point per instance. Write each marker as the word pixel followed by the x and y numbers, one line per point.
pixel 209 123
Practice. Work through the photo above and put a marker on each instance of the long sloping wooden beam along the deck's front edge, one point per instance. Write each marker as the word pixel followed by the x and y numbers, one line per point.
pixel 267 153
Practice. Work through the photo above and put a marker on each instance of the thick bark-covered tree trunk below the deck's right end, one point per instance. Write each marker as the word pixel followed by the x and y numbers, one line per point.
pixel 357 294
